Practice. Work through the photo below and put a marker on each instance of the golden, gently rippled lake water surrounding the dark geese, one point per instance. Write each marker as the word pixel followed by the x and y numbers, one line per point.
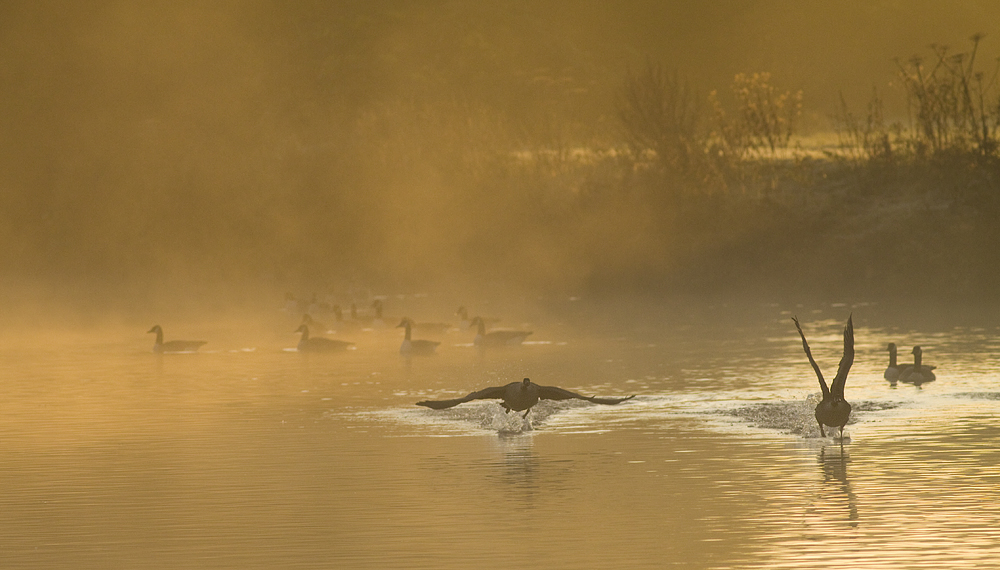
pixel 250 455
